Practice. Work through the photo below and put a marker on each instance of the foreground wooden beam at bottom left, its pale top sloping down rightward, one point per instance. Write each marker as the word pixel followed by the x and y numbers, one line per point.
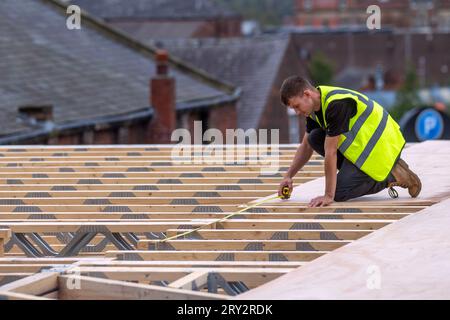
pixel 99 289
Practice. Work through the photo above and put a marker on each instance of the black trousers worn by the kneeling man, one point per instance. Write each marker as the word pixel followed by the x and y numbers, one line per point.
pixel 351 181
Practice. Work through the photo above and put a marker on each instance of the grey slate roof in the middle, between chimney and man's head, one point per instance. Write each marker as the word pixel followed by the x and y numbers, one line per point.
pixel 249 63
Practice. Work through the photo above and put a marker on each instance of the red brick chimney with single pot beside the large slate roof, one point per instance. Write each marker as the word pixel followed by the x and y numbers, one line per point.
pixel 162 92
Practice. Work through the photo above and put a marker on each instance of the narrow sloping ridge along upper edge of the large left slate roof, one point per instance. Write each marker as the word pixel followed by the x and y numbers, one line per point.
pixel 149 50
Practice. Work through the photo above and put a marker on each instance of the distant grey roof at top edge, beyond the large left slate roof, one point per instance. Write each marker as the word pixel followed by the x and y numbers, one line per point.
pixel 155 9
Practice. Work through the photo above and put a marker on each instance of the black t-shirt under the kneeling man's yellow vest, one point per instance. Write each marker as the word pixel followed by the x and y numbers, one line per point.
pixel 338 116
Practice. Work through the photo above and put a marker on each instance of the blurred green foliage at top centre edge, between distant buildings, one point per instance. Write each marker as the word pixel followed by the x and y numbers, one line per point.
pixel 266 12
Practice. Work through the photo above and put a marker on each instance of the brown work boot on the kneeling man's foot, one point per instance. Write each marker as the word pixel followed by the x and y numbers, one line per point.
pixel 405 178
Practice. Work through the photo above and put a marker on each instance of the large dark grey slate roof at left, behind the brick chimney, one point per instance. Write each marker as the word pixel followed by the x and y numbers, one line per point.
pixel 87 73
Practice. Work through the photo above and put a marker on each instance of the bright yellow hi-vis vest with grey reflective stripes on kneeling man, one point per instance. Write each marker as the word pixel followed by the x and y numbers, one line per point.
pixel 374 140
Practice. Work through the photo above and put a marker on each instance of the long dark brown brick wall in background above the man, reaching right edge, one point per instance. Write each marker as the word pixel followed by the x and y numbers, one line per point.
pixel 391 51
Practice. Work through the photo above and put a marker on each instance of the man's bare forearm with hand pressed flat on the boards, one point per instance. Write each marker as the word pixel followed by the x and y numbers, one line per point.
pixel 331 144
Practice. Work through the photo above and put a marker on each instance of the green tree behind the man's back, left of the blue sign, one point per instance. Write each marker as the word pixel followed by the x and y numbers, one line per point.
pixel 407 96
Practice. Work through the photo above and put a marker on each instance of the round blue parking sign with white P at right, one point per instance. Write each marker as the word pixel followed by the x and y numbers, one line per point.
pixel 429 125
